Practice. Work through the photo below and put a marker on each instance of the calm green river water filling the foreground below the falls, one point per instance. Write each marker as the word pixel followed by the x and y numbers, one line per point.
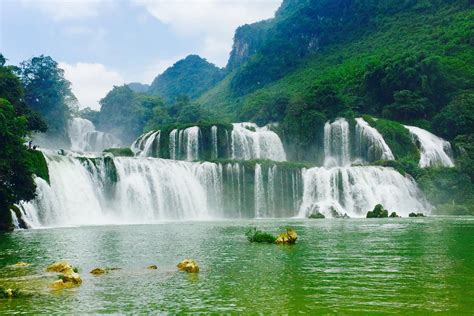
pixel 421 265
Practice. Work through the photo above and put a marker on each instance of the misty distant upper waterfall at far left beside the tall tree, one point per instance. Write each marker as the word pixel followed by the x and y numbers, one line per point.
pixel 84 136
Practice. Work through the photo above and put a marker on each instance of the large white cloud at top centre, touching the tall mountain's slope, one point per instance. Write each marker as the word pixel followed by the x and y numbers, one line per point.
pixel 214 20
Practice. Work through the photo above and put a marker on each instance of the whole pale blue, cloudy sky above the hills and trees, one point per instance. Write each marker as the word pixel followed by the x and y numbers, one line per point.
pixel 102 43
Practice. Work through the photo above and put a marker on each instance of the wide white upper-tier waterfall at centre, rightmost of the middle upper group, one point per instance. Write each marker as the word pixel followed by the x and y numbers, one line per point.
pixel 248 141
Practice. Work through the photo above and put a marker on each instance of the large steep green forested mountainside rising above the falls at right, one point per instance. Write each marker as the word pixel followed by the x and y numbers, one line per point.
pixel 372 55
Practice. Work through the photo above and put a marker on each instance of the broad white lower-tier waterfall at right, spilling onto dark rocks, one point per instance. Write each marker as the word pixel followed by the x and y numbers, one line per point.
pixel 356 190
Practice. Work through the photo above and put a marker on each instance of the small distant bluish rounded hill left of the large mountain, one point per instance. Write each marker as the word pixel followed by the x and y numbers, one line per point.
pixel 190 76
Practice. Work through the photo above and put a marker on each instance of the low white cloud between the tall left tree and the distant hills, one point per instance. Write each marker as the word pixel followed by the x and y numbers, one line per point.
pixel 90 82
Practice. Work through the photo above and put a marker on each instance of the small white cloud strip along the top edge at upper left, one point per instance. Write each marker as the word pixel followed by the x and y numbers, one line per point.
pixel 66 9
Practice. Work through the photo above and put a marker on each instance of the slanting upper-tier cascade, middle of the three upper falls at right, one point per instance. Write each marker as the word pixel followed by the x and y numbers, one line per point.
pixel 370 144
